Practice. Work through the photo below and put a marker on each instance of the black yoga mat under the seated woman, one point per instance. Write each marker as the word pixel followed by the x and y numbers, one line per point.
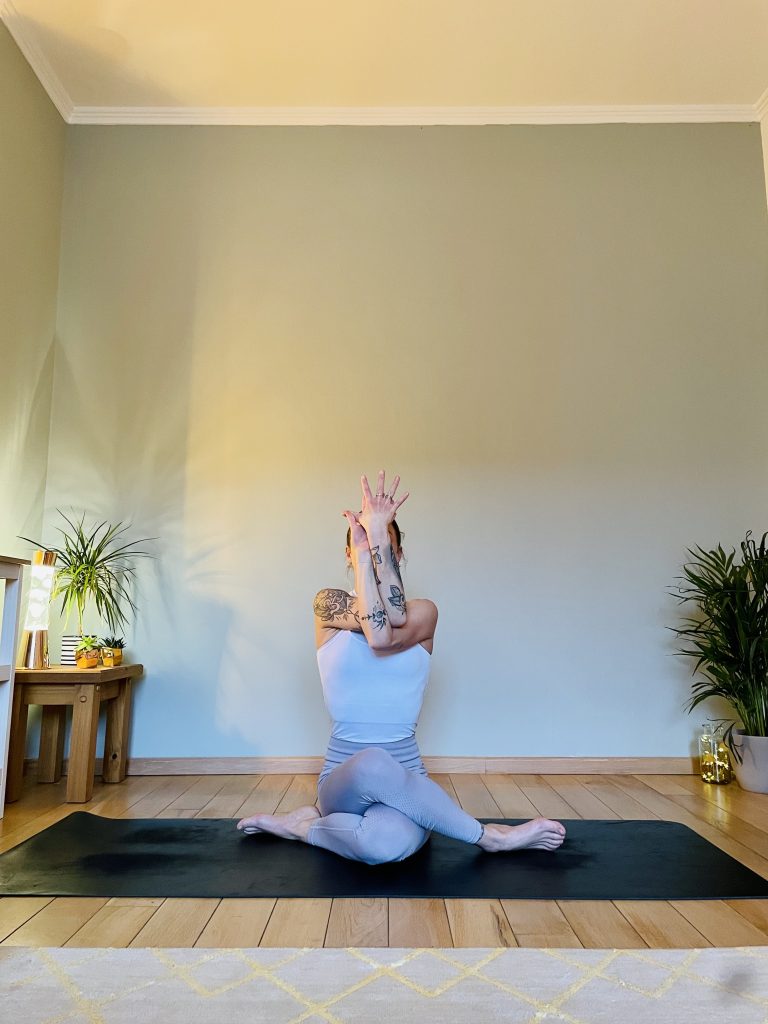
pixel 89 856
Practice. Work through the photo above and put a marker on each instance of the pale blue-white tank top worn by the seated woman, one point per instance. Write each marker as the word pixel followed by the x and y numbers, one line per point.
pixel 372 698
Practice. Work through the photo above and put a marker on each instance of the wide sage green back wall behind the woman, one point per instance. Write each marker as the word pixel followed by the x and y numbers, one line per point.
pixel 556 334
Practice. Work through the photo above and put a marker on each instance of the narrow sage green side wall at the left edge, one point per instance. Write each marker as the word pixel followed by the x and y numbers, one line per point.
pixel 32 152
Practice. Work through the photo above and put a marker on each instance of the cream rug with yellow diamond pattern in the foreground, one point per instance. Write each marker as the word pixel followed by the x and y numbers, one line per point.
pixel 369 986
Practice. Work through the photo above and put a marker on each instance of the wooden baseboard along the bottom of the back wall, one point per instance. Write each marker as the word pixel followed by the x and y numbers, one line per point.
pixel 438 765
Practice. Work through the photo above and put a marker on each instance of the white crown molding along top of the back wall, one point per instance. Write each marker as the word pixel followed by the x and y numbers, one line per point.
pixel 410 115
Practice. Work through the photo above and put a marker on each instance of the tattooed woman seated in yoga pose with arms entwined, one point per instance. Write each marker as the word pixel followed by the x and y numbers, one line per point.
pixel 377 803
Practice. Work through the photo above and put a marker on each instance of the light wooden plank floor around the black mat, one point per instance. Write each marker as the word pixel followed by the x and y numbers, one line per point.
pixel 733 820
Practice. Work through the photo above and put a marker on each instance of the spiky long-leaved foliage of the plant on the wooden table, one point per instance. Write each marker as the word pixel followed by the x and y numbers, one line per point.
pixel 95 566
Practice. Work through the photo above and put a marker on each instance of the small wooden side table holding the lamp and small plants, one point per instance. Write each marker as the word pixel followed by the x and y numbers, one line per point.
pixel 87 691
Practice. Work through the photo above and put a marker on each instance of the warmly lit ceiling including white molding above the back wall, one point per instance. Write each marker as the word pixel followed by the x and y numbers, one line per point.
pixel 262 62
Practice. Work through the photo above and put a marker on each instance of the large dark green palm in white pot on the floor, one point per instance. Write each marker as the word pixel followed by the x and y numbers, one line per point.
pixel 730 638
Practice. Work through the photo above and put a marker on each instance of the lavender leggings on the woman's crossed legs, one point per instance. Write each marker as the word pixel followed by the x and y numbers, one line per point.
pixel 378 804
